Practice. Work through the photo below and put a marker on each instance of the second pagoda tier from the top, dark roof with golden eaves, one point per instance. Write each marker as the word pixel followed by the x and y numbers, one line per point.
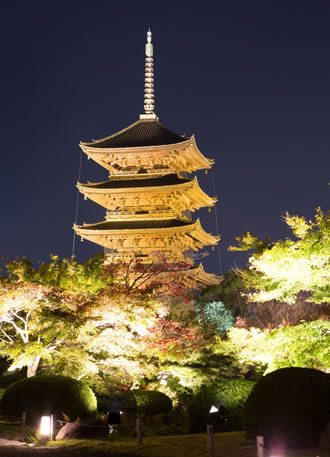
pixel 159 197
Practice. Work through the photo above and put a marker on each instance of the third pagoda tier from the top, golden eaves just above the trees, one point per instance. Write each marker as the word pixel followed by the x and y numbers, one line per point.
pixel 173 237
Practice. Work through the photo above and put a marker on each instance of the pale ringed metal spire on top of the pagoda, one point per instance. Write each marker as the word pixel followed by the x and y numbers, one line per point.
pixel 149 103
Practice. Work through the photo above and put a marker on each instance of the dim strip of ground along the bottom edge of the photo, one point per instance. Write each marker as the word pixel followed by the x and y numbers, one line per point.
pixel 225 445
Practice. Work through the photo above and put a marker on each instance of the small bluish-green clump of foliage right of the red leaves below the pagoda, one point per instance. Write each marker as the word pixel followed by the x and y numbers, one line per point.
pixel 214 317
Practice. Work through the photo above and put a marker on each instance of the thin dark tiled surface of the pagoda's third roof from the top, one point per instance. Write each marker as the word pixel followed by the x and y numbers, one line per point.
pixel 131 225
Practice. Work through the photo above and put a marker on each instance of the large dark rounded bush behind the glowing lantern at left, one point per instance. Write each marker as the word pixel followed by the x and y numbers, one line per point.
pixel 49 395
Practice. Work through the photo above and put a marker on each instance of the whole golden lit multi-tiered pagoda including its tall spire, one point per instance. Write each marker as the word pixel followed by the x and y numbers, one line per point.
pixel 149 195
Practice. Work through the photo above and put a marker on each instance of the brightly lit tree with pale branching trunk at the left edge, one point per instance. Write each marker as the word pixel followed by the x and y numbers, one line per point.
pixel 38 323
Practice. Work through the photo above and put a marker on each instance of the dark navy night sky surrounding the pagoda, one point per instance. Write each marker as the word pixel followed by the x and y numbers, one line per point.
pixel 250 79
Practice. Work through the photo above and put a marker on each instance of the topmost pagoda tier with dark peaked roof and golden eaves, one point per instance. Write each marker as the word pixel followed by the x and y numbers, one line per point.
pixel 146 147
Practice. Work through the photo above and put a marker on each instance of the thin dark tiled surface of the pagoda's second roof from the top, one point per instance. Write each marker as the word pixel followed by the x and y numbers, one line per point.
pixel 167 180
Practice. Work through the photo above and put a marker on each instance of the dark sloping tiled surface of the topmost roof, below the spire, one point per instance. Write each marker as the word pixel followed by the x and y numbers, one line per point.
pixel 140 134
